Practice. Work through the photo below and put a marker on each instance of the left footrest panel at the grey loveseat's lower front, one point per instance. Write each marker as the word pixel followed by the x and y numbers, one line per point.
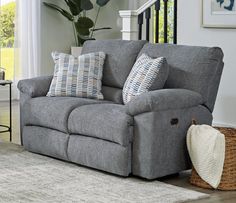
pixel 46 141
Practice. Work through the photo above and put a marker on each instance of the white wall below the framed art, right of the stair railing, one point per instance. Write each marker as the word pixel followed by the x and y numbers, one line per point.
pixel 191 33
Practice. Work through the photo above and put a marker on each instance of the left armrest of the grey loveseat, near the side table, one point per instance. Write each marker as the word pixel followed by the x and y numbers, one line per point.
pixel 35 87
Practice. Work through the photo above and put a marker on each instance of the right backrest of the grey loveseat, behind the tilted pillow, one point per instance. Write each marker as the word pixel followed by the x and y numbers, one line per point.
pixel 194 68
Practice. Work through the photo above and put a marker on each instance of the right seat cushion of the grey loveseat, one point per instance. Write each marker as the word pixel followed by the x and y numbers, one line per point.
pixel 103 121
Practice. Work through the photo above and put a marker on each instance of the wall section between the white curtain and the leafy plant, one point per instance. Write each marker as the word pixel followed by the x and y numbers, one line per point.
pixel 56 35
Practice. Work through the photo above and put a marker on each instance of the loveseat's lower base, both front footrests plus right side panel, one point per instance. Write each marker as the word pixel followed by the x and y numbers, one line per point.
pixel 158 148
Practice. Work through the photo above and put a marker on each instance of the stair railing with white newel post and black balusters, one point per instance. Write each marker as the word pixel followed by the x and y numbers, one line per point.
pixel 155 21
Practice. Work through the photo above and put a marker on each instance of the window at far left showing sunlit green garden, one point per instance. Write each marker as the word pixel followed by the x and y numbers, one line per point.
pixel 7 17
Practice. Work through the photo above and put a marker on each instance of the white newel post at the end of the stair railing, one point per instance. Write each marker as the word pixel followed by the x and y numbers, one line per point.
pixel 129 25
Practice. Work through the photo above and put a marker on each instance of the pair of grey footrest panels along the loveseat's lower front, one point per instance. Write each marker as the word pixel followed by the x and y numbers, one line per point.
pixel 91 152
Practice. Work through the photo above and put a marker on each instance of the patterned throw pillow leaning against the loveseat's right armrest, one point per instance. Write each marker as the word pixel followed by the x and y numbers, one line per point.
pixel 147 74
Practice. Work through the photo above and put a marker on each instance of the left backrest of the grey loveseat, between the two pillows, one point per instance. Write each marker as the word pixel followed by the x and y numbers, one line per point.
pixel 120 58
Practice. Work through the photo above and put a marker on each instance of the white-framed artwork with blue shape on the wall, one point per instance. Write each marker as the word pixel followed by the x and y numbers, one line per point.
pixel 219 13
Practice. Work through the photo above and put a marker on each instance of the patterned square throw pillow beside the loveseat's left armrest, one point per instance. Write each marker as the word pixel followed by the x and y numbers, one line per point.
pixel 77 76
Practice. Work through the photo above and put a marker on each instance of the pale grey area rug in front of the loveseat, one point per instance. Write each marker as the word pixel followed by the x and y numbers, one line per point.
pixel 27 177
